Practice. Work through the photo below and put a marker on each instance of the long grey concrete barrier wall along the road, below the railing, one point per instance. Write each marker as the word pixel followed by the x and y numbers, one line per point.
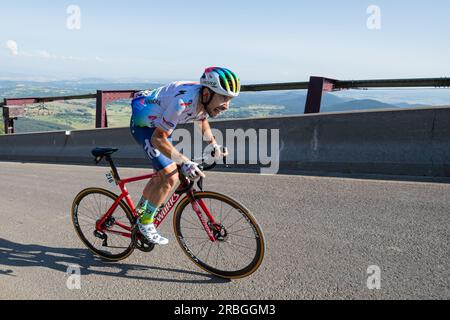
pixel 401 142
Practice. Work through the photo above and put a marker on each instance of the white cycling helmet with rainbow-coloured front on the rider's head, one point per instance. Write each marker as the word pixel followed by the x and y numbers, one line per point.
pixel 221 81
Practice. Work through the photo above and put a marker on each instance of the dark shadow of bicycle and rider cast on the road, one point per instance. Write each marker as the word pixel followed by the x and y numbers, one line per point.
pixel 30 255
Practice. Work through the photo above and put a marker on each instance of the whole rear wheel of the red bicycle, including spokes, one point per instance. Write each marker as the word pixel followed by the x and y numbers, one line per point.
pixel 112 241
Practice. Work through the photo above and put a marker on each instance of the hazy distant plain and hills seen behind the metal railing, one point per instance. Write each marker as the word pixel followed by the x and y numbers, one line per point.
pixel 80 114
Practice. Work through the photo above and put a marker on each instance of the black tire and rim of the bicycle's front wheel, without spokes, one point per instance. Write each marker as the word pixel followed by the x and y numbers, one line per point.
pixel 227 274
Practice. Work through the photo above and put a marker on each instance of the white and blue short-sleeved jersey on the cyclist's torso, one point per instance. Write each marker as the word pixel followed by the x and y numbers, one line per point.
pixel 168 106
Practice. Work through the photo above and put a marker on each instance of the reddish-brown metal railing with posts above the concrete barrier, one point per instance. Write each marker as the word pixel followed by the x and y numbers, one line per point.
pixel 316 86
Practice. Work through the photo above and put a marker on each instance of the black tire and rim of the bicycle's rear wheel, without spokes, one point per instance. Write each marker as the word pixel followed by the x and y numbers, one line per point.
pixel 75 220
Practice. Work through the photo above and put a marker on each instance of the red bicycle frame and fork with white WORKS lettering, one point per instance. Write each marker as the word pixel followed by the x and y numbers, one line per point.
pixel 196 205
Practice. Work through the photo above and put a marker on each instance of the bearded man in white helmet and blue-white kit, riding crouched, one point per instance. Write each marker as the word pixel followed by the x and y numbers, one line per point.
pixel 154 118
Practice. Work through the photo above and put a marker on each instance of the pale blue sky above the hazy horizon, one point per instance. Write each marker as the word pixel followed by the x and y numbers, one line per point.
pixel 263 41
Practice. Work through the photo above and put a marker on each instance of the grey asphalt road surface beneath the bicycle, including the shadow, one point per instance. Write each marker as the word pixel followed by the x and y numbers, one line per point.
pixel 322 234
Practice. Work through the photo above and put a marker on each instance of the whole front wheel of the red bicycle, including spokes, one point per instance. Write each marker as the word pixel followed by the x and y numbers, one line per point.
pixel 239 247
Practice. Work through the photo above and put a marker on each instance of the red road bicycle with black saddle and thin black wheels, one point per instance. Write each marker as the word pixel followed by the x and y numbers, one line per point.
pixel 222 246
